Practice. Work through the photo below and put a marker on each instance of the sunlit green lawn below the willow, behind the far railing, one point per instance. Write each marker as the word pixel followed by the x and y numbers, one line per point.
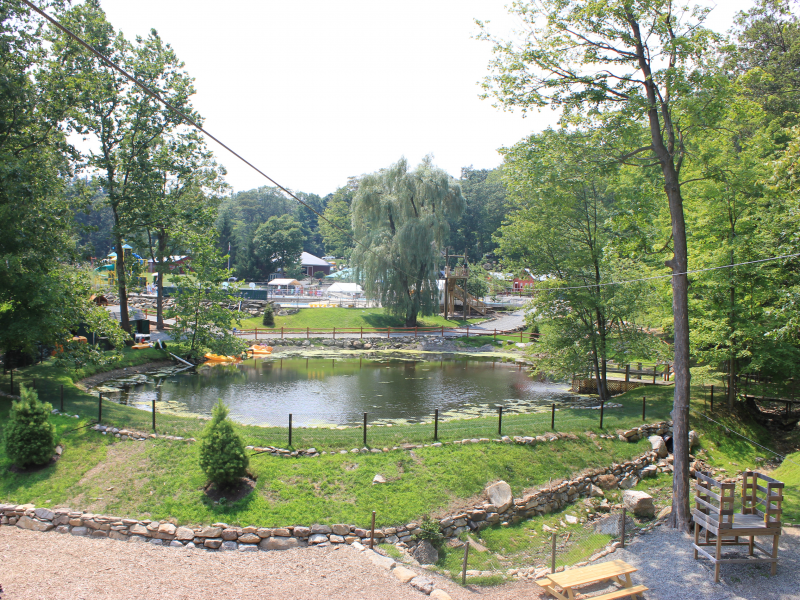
pixel 348 318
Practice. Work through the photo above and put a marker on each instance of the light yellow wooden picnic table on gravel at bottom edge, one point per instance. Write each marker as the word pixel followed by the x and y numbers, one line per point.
pixel 613 570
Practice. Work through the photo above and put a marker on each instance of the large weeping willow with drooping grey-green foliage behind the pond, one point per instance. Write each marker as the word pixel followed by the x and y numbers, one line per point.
pixel 400 222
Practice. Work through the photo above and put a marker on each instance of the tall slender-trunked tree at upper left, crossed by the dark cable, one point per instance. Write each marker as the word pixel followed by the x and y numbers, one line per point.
pixel 123 120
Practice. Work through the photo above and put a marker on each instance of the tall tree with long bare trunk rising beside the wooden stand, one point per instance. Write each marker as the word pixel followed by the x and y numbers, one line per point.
pixel 626 62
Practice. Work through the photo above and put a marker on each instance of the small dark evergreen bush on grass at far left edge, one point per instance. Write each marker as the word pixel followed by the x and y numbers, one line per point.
pixel 30 437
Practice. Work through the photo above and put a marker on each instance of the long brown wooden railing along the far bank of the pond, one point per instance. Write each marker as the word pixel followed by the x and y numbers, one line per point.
pixel 270 333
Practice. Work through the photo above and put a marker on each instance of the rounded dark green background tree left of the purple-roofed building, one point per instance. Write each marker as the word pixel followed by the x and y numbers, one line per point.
pixel 277 245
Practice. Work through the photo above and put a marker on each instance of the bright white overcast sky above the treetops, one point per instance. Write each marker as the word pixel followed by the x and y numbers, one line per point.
pixel 315 91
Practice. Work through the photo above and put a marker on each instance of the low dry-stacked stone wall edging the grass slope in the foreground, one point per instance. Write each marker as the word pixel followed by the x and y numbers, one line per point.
pixel 221 536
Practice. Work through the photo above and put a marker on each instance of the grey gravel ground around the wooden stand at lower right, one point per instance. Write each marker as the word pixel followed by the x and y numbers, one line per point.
pixel 666 564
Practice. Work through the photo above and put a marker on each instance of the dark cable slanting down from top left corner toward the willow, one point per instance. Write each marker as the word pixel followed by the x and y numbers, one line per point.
pixel 155 95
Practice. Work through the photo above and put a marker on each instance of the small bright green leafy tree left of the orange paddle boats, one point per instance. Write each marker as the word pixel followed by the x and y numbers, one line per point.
pixel 201 310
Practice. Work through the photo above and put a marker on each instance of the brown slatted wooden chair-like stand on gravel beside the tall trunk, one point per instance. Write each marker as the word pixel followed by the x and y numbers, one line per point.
pixel 727 526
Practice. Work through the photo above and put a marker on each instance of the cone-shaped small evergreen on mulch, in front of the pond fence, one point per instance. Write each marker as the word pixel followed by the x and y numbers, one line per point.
pixel 222 455
